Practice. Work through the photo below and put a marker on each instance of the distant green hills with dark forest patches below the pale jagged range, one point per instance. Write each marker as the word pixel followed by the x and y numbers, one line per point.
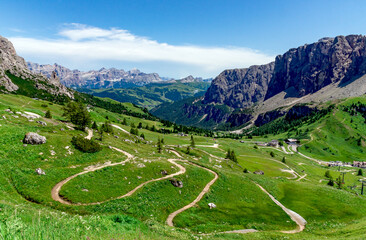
pixel 151 95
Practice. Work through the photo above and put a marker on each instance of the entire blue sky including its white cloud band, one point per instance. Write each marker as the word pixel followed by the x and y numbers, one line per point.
pixel 173 38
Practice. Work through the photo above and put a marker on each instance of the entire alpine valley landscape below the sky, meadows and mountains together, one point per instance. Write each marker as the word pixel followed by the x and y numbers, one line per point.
pixel 275 151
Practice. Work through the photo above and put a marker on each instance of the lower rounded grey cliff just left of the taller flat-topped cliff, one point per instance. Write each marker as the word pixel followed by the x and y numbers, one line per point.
pixel 240 88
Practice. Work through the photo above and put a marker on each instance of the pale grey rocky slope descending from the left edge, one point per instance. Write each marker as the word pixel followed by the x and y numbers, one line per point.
pixel 11 63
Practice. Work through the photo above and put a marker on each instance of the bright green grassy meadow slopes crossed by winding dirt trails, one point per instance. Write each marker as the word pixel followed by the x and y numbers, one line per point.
pixel 28 210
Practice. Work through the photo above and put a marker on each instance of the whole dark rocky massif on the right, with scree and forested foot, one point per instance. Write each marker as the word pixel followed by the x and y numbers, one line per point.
pixel 332 68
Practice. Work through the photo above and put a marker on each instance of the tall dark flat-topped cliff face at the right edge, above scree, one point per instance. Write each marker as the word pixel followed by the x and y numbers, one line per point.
pixel 309 68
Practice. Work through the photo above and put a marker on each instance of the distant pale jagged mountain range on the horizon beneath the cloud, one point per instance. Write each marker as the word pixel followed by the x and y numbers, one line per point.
pixel 103 78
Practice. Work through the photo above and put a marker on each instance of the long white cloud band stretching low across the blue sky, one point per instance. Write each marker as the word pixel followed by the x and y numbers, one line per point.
pixel 85 44
